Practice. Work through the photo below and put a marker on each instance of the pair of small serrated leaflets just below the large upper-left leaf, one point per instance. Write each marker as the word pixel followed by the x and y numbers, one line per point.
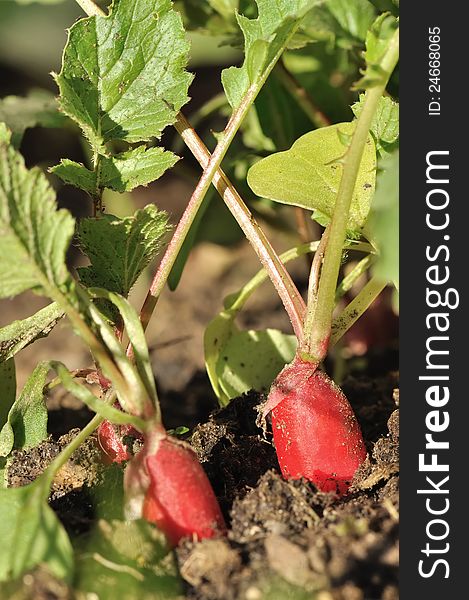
pixel 121 173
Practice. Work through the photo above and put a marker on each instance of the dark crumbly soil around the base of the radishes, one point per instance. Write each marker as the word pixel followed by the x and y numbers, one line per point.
pixel 285 539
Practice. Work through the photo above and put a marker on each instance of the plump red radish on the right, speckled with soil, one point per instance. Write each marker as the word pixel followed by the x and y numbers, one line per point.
pixel 316 433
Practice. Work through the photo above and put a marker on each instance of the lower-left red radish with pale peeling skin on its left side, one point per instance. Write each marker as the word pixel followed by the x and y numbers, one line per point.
pixel 166 485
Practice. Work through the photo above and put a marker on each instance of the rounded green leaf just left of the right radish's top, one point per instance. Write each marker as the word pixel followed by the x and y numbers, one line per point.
pixel 251 360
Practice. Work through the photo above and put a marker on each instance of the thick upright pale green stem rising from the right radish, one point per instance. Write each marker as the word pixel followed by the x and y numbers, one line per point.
pixel 318 320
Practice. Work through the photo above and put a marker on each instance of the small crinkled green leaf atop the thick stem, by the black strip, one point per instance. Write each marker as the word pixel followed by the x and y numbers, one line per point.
pixel 377 43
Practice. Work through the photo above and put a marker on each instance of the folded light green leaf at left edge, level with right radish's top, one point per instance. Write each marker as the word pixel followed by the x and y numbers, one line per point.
pixel 26 426
